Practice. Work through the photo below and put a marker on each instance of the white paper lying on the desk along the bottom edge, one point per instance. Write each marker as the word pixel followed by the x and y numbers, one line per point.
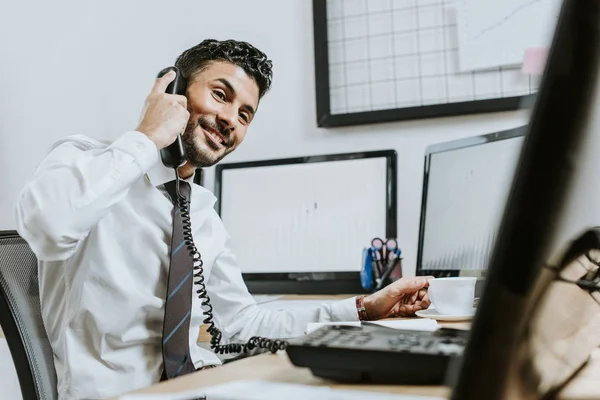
pixel 264 390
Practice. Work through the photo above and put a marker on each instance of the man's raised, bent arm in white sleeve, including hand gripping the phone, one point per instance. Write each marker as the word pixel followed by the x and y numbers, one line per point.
pixel 78 183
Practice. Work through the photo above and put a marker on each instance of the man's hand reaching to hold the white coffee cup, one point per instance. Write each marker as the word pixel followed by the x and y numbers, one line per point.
pixel 401 298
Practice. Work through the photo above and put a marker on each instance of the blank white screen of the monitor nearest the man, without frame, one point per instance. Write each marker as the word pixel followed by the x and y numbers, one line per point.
pixel 310 217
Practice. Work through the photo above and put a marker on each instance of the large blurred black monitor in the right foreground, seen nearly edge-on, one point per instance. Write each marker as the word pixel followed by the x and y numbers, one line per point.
pixel 552 200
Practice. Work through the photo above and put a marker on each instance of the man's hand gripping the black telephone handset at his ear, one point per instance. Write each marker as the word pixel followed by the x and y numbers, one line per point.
pixel 165 115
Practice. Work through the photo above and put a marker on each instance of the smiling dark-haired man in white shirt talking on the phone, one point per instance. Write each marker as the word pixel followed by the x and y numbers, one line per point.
pixel 101 227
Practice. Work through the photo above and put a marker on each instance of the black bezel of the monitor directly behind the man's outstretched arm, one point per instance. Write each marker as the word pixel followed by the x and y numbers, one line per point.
pixel 326 282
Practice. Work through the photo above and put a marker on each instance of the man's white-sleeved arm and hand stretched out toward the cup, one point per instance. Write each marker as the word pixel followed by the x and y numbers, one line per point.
pixel 238 316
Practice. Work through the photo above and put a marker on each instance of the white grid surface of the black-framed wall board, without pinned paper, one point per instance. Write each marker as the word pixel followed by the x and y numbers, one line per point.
pixel 391 54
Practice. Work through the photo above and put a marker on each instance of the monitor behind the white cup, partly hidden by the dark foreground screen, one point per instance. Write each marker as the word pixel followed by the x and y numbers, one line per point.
pixel 465 185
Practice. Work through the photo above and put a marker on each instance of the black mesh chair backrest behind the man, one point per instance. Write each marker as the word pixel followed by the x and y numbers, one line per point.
pixel 21 319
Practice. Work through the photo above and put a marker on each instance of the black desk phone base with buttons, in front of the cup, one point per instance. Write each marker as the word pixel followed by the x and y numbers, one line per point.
pixel 377 354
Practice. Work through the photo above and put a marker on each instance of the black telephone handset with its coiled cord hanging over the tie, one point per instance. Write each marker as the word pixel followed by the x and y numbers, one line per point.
pixel 173 156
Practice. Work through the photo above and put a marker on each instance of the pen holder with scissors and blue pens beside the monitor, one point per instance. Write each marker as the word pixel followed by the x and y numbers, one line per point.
pixel 382 264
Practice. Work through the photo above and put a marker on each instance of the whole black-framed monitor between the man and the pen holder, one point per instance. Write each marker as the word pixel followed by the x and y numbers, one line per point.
pixel 298 225
